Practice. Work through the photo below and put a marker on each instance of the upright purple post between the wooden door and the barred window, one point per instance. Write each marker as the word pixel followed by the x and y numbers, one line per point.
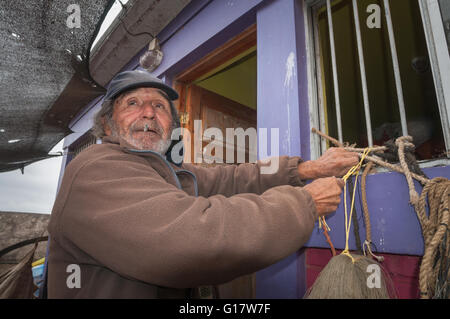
pixel 283 104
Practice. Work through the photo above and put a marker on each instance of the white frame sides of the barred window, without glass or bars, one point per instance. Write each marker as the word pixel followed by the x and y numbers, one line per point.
pixel 439 61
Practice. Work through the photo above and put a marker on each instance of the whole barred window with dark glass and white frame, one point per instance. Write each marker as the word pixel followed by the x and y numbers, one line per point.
pixel 379 74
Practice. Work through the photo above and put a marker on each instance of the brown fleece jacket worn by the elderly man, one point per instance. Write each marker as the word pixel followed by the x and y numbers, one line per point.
pixel 141 227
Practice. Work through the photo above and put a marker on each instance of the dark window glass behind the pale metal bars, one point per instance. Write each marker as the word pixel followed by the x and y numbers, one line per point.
pixel 417 82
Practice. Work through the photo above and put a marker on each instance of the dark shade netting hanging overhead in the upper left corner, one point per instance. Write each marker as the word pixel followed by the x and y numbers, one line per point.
pixel 44 80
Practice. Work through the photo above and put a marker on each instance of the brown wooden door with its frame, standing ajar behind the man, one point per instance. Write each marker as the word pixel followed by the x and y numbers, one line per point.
pixel 196 103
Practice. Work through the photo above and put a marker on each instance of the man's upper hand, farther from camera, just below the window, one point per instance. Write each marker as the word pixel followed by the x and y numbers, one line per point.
pixel 334 162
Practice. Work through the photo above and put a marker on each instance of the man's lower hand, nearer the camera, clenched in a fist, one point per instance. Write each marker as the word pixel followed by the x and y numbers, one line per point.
pixel 326 193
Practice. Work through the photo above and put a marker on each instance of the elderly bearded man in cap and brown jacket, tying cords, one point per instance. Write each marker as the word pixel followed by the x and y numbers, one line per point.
pixel 129 223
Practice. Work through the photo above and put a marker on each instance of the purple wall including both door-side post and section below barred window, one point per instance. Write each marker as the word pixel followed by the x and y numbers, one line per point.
pixel 283 103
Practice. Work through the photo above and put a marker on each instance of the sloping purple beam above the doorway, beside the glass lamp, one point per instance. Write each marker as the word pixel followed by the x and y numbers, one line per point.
pixel 211 24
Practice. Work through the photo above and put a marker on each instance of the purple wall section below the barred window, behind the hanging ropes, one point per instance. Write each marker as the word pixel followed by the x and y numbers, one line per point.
pixel 394 224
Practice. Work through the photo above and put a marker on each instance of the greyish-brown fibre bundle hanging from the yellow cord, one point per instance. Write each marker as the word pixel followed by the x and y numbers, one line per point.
pixel 343 279
